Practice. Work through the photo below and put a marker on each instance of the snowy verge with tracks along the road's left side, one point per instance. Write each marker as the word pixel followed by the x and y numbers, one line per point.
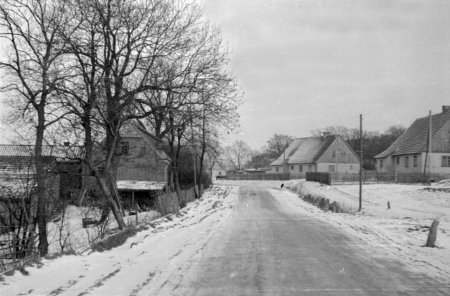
pixel 155 252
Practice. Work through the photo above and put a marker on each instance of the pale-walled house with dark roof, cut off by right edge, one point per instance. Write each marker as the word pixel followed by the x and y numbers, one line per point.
pixel 408 153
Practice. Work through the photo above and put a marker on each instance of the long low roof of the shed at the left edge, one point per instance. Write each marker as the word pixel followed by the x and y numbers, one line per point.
pixel 72 152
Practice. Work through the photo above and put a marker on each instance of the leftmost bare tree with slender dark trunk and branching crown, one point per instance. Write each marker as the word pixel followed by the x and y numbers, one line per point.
pixel 33 65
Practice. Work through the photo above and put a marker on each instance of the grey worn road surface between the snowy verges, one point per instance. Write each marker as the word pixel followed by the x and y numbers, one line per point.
pixel 270 250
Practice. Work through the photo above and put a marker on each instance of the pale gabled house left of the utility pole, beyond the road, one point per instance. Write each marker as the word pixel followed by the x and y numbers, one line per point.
pixel 329 153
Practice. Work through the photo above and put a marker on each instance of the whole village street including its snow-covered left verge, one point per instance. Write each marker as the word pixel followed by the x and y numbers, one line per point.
pixel 237 241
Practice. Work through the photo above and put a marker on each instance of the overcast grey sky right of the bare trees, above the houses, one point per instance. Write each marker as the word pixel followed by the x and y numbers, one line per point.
pixel 308 64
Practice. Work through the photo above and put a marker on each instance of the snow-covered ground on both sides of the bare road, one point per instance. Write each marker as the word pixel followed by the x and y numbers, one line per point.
pixel 161 251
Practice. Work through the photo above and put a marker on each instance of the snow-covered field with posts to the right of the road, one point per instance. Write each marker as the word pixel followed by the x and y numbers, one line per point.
pixel 399 233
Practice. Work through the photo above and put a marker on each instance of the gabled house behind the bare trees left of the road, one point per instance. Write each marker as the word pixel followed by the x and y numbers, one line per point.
pixel 143 165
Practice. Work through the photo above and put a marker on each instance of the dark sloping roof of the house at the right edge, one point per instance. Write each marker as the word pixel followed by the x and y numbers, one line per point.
pixel 415 138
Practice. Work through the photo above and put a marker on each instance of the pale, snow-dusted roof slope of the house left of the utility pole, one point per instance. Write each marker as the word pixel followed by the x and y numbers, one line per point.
pixel 305 150
